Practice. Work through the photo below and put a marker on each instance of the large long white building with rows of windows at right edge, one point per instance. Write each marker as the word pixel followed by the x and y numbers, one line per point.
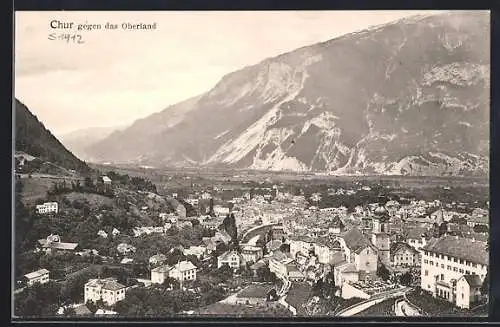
pixel 446 260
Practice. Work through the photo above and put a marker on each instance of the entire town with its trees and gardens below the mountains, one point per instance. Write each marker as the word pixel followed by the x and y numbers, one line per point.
pixel 119 246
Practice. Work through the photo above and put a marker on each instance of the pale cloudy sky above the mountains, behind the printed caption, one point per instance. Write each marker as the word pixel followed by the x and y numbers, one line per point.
pixel 118 76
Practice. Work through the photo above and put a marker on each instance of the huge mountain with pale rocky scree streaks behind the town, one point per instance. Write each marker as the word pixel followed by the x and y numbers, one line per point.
pixel 410 97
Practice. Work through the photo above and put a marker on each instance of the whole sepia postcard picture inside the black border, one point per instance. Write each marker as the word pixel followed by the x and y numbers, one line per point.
pixel 250 164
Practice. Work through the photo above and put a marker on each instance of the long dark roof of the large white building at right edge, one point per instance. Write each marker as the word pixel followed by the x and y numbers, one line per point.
pixel 460 247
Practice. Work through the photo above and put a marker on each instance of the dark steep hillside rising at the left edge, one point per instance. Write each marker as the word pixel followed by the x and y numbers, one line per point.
pixel 34 140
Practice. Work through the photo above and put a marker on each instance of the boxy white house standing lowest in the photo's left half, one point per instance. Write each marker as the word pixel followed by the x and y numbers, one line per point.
pixel 108 290
